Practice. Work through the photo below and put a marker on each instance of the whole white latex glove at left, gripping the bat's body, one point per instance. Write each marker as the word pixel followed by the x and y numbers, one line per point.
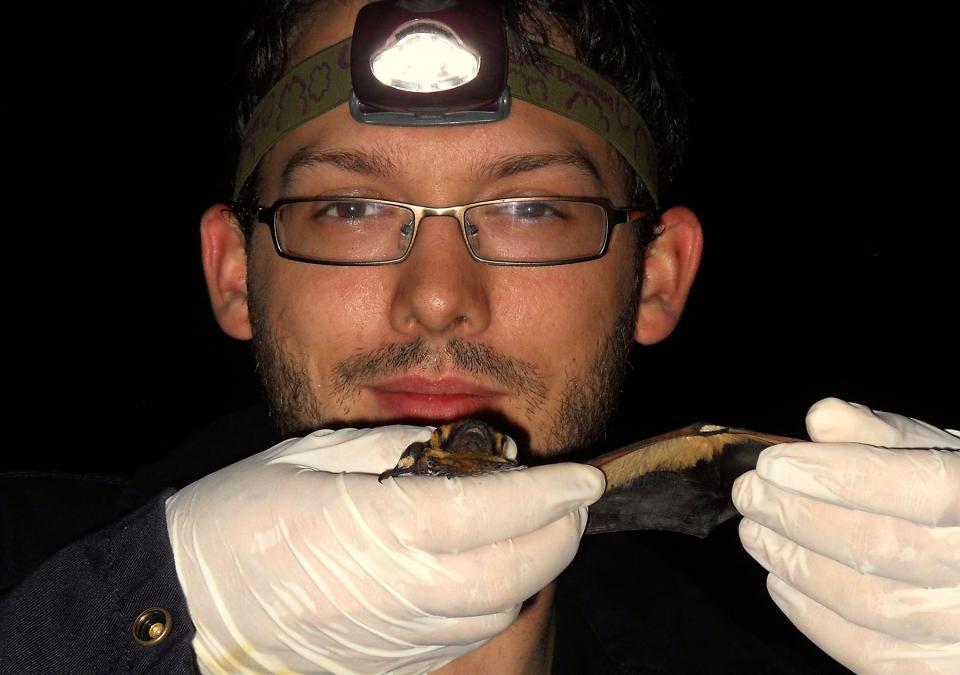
pixel 298 560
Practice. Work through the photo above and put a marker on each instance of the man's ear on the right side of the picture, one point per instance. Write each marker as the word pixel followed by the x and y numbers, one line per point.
pixel 670 266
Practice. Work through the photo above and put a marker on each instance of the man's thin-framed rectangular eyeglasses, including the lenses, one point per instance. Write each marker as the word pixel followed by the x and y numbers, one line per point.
pixel 523 231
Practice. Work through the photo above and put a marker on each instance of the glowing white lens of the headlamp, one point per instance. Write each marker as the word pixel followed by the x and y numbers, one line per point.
pixel 425 56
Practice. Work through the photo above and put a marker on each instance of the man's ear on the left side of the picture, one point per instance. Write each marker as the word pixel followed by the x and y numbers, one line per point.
pixel 225 268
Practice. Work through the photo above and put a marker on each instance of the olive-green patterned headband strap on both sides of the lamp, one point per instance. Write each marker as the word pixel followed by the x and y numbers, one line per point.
pixel 559 84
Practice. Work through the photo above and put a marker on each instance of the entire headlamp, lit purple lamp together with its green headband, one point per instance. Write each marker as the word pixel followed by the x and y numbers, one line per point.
pixel 437 63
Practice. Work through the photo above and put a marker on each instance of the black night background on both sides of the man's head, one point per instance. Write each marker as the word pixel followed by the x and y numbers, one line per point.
pixel 820 166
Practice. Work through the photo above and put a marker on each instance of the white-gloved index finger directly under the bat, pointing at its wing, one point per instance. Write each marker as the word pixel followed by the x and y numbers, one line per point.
pixel 451 515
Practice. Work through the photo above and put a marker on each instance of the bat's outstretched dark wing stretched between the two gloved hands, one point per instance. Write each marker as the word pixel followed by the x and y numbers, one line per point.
pixel 679 481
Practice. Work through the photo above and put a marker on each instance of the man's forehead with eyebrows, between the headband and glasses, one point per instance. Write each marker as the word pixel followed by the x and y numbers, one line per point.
pixel 530 140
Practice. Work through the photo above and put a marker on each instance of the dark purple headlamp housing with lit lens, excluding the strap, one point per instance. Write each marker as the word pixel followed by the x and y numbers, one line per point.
pixel 429 63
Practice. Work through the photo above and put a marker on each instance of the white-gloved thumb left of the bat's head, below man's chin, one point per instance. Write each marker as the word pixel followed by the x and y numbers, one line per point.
pixel 348 450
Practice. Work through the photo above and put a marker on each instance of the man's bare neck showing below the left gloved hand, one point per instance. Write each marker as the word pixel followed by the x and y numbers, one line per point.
pixel 525 647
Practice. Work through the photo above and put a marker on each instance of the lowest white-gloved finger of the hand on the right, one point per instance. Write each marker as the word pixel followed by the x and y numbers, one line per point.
pixel 860 649
